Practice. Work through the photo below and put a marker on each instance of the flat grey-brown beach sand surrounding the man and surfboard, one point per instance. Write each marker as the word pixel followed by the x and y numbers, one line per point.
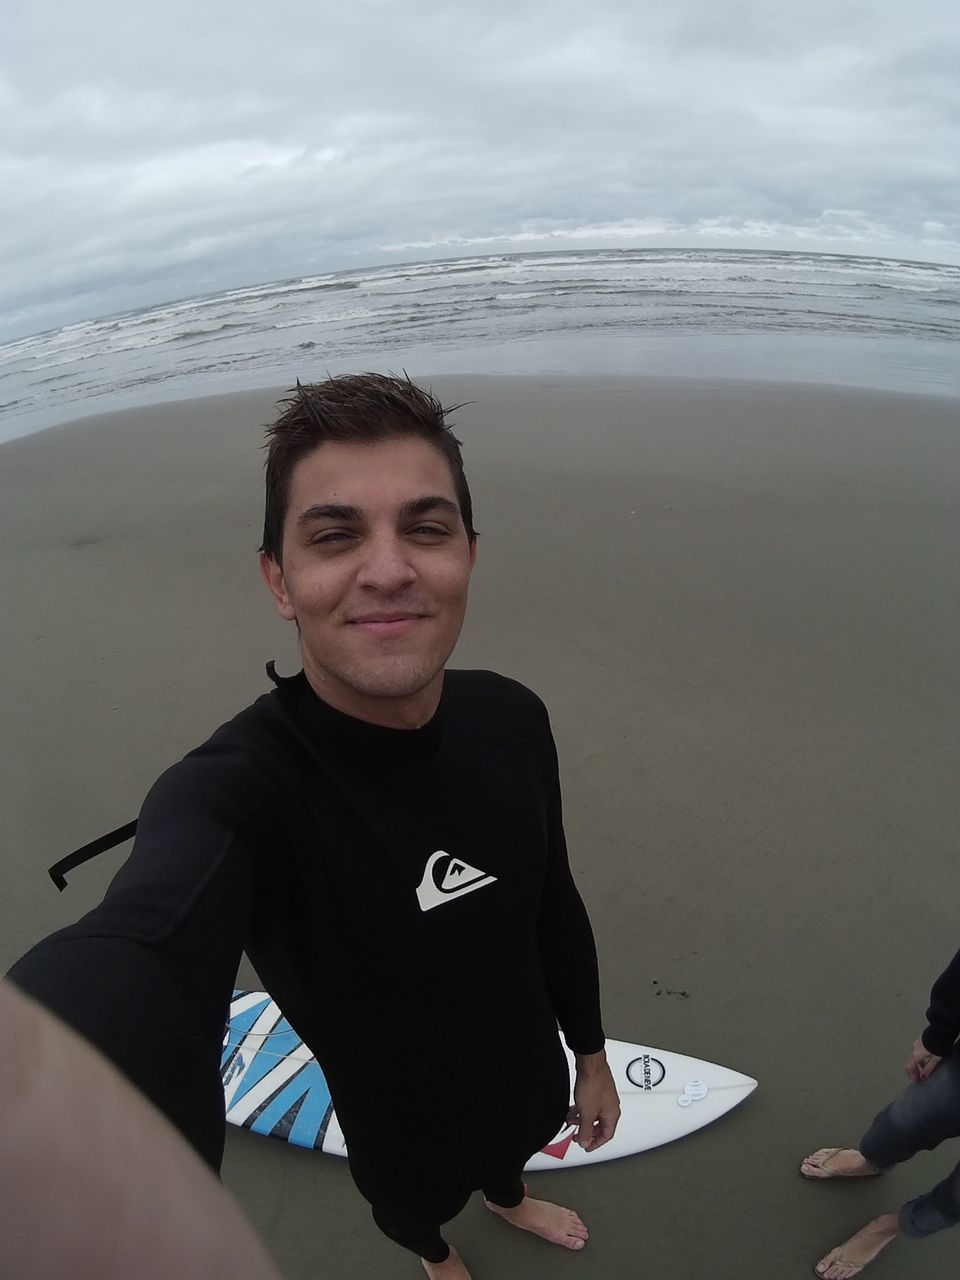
pixel 740 604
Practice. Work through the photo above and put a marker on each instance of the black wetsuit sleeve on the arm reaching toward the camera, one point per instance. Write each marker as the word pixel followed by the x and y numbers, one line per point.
pixel 147 977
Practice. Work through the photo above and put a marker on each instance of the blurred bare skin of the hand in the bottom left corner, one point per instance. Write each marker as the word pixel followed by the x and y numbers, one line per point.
pixel 95 1181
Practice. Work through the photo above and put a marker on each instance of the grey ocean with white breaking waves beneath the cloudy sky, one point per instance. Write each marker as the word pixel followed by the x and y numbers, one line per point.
pixel 831 319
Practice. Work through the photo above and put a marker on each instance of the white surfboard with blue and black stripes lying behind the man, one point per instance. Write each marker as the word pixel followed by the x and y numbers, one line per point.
pixel 273 1086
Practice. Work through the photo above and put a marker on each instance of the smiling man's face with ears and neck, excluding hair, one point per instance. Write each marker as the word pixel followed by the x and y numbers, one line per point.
pixel 376 572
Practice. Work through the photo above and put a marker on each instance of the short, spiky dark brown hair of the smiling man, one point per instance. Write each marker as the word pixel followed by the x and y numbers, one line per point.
pixel 355 409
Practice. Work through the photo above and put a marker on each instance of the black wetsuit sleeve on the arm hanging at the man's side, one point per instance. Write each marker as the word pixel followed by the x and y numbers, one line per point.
pixel 566 940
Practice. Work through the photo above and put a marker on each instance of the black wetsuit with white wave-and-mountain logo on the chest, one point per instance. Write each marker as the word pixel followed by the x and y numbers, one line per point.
pixel 405 898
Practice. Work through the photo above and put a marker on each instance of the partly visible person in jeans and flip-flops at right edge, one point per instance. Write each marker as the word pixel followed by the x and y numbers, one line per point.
pixel 920 1119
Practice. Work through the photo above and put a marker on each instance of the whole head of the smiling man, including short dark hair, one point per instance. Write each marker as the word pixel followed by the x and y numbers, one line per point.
pixel 369 543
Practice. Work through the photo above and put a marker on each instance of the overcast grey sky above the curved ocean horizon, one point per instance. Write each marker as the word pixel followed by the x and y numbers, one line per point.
pixel 154 152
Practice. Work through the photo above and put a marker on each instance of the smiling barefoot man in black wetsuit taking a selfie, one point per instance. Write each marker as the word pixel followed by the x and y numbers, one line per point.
pixel 385 839
